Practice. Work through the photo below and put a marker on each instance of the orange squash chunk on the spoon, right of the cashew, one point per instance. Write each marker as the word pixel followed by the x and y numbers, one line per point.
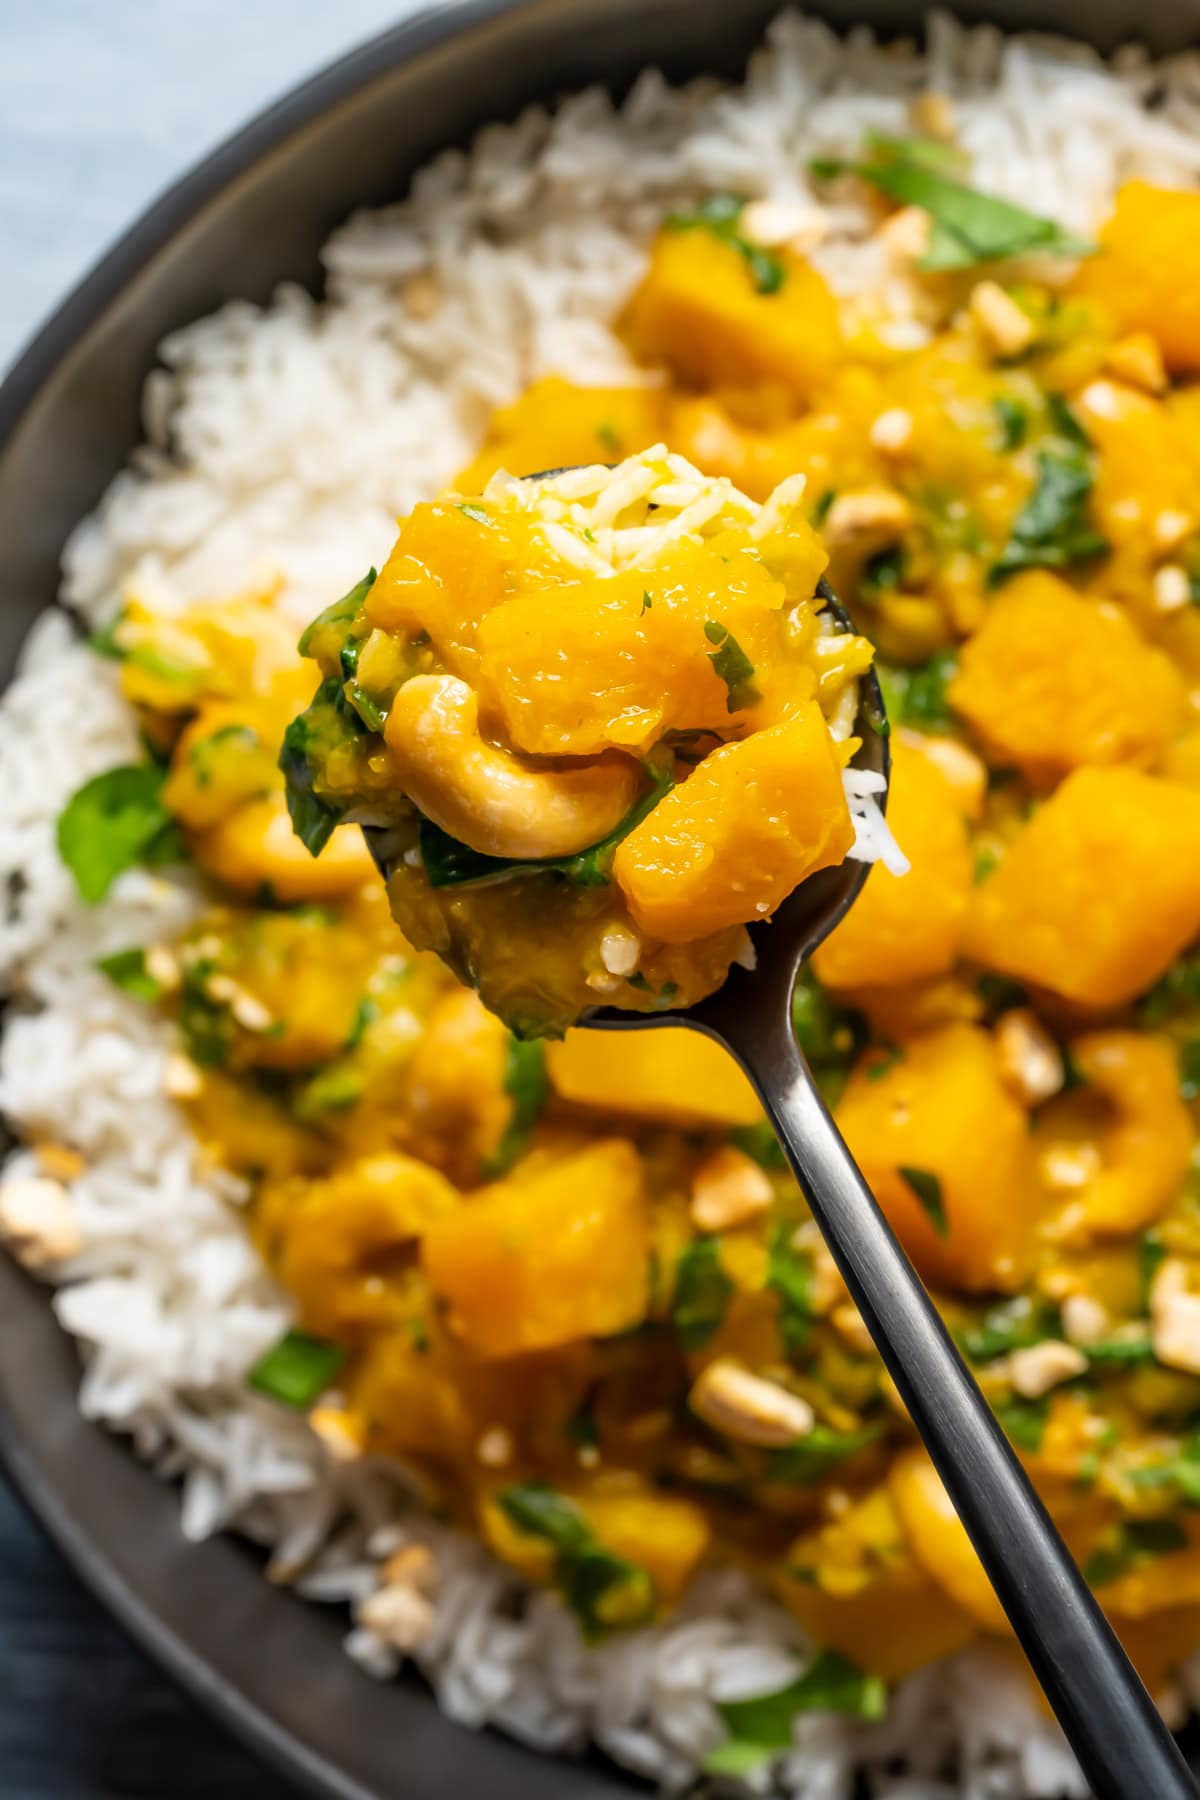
pixel 731 841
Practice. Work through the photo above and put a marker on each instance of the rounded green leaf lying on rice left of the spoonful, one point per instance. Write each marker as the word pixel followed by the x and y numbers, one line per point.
pixel 112 823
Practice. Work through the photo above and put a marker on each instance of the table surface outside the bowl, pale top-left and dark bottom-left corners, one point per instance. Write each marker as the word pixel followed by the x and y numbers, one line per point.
pixel 102 105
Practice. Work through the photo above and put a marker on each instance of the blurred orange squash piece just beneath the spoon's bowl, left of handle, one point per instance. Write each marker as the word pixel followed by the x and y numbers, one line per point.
pixel 677 1077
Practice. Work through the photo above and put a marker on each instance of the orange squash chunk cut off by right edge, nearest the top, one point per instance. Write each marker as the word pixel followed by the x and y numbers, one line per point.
pixel 1147 271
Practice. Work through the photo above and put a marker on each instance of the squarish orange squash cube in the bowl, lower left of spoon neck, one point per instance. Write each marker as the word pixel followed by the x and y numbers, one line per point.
pixel 548 1257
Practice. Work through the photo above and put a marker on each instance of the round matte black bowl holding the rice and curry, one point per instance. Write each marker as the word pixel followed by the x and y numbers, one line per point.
pixel 249 217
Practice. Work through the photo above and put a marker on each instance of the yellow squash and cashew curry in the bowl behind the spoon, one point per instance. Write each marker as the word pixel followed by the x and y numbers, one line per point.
pixel 569 1282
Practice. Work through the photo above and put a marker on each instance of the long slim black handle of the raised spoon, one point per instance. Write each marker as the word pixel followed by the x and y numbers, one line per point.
pixel 1111 1722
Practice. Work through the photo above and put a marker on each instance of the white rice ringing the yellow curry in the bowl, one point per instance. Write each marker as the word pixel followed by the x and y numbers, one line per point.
pixel 282 445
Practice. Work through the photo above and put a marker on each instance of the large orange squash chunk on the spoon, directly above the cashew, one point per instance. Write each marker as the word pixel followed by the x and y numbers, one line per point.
pixel 622 660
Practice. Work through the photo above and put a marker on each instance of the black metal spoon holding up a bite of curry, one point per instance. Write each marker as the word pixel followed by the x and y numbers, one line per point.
pixel 1107 1714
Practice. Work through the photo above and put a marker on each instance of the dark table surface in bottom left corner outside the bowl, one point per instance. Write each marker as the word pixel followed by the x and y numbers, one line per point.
pixel 84 1714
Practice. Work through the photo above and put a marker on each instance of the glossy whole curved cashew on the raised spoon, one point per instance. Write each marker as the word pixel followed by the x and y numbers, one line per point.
pixel 488 798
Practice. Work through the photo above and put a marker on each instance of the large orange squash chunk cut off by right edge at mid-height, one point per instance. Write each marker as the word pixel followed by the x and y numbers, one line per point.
pixel 1098 894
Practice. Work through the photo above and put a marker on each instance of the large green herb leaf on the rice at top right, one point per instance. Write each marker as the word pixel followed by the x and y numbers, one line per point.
pixel 967 228
